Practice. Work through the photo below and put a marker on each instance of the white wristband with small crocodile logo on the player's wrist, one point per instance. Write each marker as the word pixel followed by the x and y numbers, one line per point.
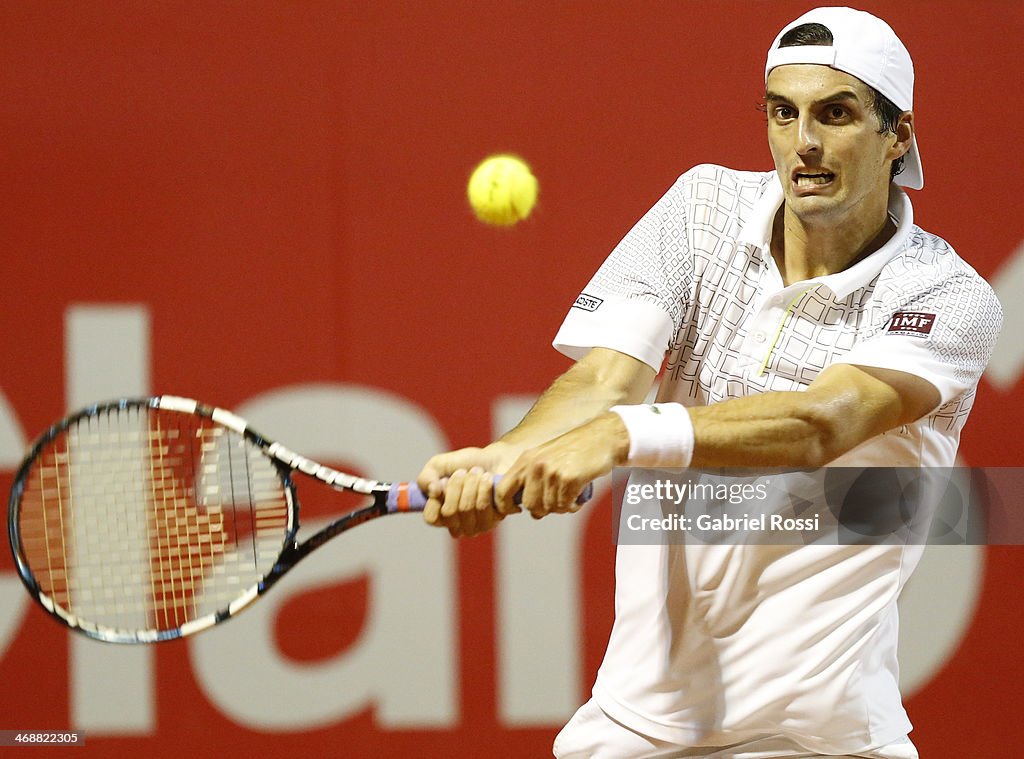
pixel 661 435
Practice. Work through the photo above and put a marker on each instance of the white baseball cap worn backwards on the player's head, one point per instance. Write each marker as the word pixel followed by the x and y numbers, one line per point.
pixel 865 48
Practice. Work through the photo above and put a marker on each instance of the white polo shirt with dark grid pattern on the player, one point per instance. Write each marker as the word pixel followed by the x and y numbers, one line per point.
pixel 717 645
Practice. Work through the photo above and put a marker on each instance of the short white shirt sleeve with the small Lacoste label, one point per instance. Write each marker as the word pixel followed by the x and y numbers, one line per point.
pixel 636 301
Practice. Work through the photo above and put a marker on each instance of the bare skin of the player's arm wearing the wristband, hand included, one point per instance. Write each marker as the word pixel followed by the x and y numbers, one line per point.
pixel 844 407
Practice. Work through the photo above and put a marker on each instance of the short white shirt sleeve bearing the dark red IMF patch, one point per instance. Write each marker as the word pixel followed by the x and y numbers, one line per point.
pixel 946 334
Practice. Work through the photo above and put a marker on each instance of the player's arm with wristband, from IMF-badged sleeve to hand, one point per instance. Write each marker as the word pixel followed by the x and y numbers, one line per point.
pixel 886 382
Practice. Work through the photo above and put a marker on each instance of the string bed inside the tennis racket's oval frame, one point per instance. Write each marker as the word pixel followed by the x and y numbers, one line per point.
pixel 144 520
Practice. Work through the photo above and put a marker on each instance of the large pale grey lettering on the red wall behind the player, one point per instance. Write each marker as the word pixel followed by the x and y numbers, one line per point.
pixel 405 664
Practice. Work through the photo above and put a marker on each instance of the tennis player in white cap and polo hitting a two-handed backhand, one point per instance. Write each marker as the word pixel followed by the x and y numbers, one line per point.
pixel 805 320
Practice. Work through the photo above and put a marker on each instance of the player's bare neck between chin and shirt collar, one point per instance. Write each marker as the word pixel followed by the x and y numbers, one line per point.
pixel 804 249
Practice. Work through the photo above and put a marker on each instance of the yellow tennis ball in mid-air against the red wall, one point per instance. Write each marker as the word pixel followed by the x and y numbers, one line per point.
pixel 502 191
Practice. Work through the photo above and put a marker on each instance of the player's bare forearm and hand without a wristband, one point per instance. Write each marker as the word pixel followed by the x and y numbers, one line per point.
pixel 459 484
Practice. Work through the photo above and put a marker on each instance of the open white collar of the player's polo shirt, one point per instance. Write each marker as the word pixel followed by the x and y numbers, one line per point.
pixel 758 228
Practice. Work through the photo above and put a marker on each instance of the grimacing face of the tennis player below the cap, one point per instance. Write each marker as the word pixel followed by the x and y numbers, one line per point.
pixel 825 141
